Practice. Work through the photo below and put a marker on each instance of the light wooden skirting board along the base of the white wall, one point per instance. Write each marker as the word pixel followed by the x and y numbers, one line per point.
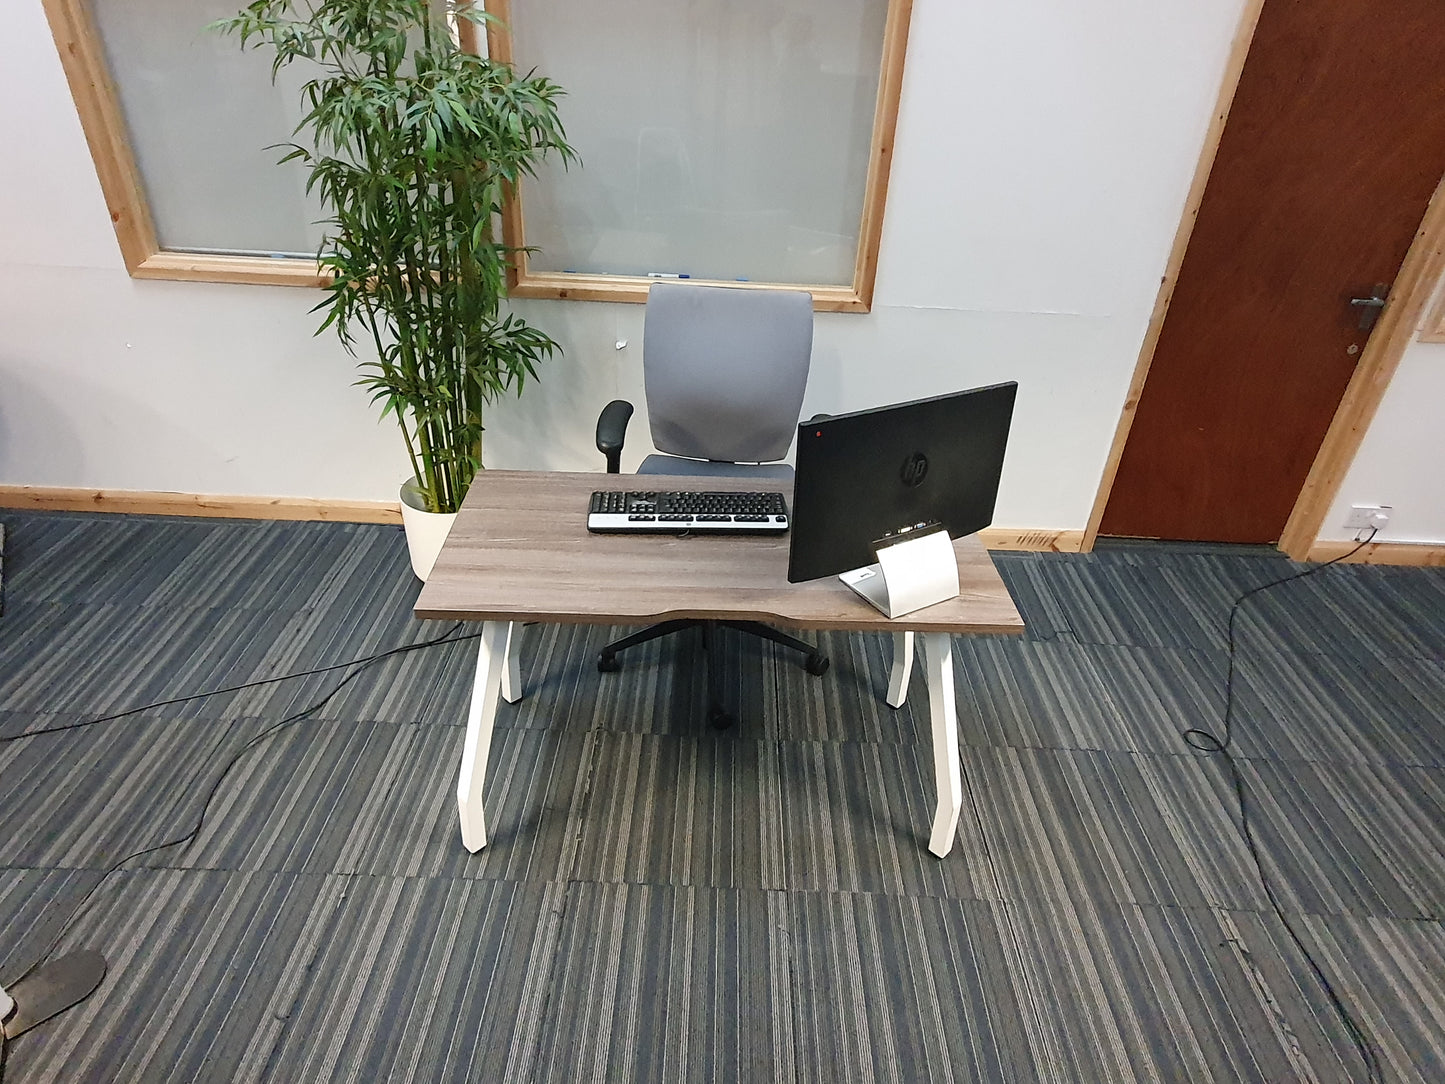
pixel 145 504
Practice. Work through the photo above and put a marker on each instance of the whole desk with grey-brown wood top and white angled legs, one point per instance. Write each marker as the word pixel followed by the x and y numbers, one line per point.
pixel 521 551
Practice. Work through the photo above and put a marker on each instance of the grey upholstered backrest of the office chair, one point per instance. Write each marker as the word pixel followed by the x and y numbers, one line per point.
pixel 725 369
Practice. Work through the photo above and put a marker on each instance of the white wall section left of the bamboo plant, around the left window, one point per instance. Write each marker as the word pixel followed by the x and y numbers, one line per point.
pixel 115 384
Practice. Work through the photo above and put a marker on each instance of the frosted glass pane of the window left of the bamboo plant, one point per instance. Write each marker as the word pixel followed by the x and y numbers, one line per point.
pixel 202 116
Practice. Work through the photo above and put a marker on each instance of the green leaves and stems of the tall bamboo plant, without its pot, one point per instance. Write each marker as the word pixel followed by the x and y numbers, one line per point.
pixel 413 145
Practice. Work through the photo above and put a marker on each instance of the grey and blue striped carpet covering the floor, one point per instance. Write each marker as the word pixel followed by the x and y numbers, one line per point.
pixel 665 904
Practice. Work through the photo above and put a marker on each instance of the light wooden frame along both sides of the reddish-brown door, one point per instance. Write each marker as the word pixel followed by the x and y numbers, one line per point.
pixel 1412 291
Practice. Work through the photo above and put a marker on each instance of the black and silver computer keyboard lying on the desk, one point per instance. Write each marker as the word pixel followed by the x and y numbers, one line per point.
pixel 680 511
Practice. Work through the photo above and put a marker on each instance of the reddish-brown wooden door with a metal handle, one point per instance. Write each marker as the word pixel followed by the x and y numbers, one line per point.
pixel 1333 148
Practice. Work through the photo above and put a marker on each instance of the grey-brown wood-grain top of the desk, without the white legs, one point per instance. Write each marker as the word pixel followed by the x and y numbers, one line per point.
pixel 521 551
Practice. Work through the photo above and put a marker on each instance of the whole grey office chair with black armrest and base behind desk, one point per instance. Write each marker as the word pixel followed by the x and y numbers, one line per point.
pixel 725 372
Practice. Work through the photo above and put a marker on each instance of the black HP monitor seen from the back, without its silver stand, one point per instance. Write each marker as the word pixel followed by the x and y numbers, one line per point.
pixel 866 476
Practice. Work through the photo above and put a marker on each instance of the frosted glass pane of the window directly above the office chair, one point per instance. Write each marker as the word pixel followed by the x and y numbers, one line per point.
pixel 720 139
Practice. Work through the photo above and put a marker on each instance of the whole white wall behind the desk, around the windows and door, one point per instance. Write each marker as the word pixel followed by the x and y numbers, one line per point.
pixel 1044 154
